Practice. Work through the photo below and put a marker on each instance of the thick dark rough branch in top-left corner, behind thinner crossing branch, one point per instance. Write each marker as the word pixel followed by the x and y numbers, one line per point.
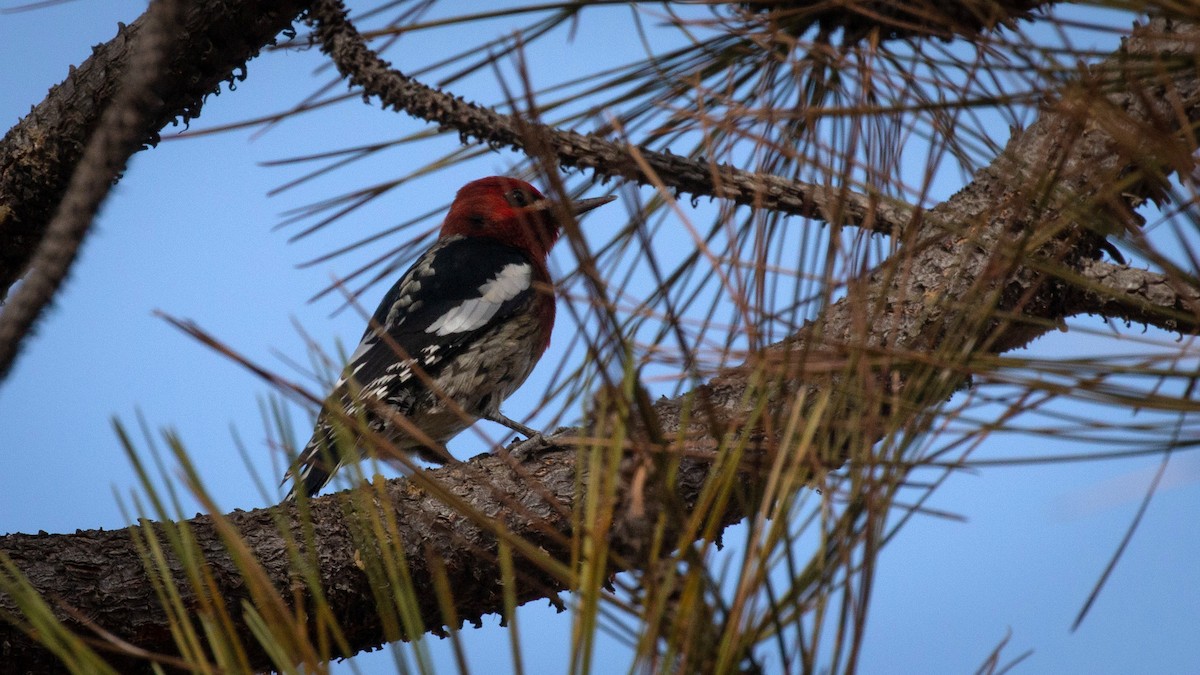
pixel 39 156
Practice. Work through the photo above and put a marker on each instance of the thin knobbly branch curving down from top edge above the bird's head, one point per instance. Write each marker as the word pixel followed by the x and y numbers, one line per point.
pixel 397 91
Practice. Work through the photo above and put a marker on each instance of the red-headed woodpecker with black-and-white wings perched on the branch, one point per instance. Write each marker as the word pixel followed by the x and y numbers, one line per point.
pixel 457 334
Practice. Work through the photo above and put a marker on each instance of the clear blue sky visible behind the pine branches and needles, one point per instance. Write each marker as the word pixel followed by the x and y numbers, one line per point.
pixel 191 231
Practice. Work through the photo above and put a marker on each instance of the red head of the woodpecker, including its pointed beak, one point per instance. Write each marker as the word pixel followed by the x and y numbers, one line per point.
pixel 509 211
